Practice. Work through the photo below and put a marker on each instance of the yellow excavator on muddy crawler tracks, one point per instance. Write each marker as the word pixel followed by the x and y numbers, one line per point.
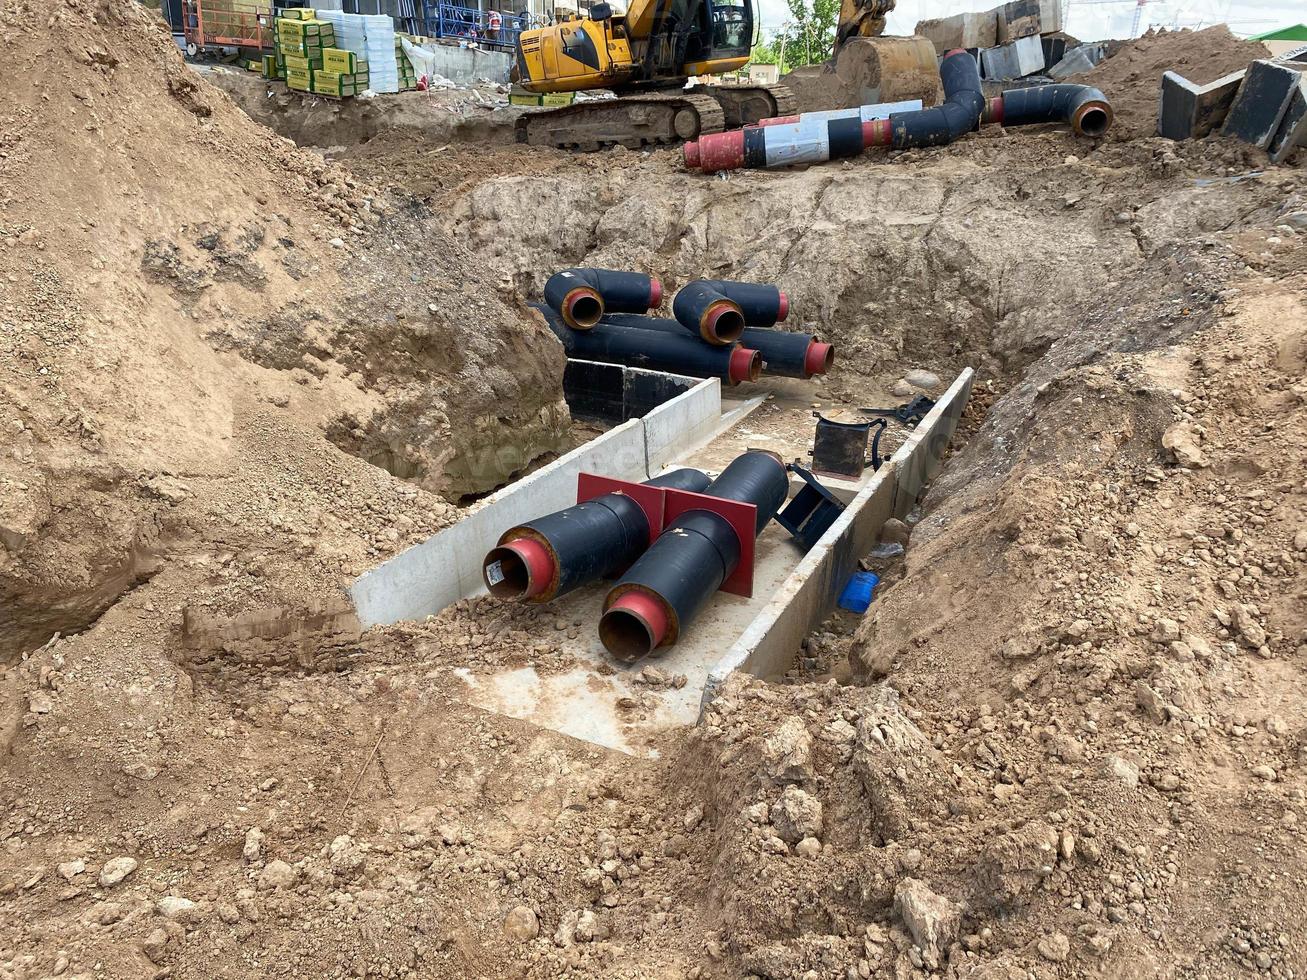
pixel 646 57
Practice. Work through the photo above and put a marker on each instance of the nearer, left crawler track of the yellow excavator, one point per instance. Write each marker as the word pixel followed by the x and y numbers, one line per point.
pixel 628 121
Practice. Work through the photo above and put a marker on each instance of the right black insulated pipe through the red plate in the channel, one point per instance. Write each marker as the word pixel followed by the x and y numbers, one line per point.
pixel 659 596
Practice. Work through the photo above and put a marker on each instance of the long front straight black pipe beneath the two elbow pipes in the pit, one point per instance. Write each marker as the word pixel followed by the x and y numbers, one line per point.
pixel 657 352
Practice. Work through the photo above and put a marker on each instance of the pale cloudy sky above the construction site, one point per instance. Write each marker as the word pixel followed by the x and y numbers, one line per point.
pixel 1095 20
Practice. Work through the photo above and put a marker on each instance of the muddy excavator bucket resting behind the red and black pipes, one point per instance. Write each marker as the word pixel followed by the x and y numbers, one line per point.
pixel 867 71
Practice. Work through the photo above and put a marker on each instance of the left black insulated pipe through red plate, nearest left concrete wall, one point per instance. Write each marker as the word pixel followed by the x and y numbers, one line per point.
pixel 598 539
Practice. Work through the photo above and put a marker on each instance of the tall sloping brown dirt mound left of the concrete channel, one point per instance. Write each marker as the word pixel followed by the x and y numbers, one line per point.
pixel 171 266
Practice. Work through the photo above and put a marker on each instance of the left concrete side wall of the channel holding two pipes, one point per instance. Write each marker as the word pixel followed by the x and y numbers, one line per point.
pixel 448 566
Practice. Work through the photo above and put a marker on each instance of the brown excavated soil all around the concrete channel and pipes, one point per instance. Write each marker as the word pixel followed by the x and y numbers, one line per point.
pixel 1067 739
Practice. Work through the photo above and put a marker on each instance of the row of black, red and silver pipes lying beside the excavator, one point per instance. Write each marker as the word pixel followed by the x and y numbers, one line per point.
pixel 815 138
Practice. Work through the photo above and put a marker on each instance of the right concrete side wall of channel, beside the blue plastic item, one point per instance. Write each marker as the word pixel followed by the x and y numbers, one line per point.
pixel 812 591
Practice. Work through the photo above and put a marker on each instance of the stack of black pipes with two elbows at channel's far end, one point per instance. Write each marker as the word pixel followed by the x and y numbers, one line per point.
pixel 722 329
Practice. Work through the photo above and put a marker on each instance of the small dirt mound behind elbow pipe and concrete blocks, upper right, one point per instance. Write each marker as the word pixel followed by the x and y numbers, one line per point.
pixel 1133 78
